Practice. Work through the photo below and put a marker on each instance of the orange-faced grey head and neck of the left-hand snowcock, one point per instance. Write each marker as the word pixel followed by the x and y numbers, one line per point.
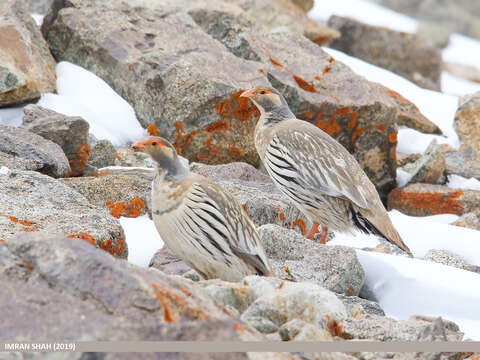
pixel 163 155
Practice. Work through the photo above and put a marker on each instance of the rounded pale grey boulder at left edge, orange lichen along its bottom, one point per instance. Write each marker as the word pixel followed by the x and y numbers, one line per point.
pixel 32 202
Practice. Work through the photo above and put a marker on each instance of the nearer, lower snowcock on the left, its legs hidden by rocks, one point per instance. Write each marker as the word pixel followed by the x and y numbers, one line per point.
pixel 199 221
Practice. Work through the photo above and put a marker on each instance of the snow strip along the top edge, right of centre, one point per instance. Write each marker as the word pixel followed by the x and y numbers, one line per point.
pixel 363 11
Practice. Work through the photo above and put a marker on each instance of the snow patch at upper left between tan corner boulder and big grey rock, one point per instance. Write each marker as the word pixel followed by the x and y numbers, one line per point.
pixel 82 93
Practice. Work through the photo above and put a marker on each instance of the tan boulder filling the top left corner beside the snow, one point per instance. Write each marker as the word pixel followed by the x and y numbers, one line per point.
pixel 26 66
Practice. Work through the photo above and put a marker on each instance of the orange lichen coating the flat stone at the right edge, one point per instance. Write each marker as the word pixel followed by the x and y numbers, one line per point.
pixel 426 203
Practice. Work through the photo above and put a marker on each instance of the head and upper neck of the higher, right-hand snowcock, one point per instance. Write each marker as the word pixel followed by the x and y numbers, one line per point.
pixel 272 105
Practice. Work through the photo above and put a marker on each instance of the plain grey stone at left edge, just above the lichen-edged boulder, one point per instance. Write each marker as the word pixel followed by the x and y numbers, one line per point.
pixel 31 150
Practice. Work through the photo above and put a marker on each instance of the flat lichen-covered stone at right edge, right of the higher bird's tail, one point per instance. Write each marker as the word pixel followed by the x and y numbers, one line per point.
pixel 427 199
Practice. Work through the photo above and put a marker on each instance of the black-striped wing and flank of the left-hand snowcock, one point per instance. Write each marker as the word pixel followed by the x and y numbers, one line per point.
pixel 221 225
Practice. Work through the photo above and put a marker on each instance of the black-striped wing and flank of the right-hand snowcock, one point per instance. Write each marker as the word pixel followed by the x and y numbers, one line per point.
pixel 306 162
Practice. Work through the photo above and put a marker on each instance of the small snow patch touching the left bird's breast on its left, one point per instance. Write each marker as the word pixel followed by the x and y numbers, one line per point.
pixel 142 239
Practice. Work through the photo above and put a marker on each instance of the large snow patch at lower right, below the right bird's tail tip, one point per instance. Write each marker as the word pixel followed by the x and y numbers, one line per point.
pixel 406 287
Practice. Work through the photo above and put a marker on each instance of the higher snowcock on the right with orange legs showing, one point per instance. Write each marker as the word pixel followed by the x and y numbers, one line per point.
pixel 316 172
